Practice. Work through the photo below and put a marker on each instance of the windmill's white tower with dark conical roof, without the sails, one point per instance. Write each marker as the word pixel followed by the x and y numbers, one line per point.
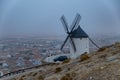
pixel 81 41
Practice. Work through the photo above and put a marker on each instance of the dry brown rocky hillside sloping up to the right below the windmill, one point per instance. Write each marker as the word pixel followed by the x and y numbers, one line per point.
pixel 103 64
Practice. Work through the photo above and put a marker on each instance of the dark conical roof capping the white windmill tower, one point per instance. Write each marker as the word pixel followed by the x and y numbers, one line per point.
pixel 79 33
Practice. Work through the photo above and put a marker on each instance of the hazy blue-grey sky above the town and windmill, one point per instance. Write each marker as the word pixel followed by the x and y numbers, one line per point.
pixel 42 17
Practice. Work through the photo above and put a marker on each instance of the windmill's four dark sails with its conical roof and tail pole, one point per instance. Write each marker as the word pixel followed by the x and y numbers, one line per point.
pixel 75 31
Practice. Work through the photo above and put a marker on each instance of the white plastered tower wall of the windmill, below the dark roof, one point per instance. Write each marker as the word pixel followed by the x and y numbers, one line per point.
pixel 82 46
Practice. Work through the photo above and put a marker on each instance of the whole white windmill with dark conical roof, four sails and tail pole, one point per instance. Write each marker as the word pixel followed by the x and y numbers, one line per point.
pixel 77 37
